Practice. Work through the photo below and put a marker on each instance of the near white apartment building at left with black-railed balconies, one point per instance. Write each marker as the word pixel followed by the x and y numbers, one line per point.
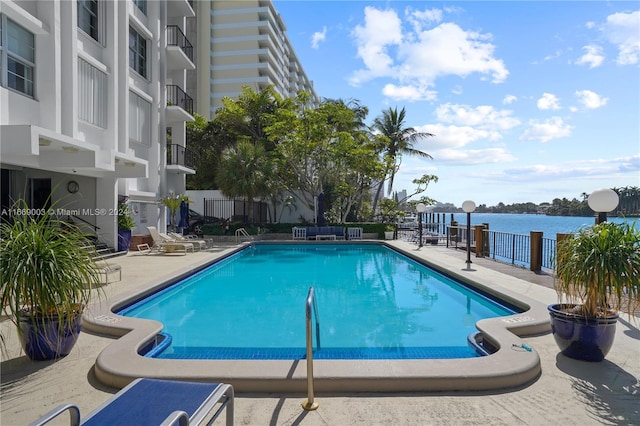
pixel 93 107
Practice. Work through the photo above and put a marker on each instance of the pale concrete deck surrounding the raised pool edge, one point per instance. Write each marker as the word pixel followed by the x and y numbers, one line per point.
pixel 565 392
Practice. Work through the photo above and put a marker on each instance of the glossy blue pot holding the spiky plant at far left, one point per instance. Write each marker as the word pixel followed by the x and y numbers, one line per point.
pixel 44 339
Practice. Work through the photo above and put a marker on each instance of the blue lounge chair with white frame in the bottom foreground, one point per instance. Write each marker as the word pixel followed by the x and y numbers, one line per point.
pixel 156 402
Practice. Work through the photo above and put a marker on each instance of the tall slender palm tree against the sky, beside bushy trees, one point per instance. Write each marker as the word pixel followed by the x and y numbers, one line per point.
pixel 395 140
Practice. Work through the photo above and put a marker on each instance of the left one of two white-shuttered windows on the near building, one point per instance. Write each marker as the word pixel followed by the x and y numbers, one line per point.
pixel 92 94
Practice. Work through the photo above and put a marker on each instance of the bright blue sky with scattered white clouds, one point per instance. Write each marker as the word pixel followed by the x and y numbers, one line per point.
pixel 528 101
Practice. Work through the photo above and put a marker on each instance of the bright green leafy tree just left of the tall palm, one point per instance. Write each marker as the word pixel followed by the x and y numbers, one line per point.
pixel 320 148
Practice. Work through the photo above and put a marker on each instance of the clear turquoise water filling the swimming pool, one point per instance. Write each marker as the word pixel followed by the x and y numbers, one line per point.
pixel 373 302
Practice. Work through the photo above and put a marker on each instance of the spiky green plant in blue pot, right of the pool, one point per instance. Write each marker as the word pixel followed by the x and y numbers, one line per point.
pixel 597 275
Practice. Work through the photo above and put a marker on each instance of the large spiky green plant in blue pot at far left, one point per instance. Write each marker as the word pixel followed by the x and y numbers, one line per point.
pixel 48 272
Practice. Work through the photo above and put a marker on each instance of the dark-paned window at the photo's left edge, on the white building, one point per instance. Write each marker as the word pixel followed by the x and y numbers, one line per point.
pixel 18 52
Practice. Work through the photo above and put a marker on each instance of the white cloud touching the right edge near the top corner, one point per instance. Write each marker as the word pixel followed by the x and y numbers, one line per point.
pixel 621 29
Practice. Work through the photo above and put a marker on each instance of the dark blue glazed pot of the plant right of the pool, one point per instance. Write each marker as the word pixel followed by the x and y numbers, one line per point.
pixel 578 337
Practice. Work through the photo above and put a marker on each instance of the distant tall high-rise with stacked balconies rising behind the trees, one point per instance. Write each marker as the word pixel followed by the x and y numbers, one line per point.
pixel 243 43
